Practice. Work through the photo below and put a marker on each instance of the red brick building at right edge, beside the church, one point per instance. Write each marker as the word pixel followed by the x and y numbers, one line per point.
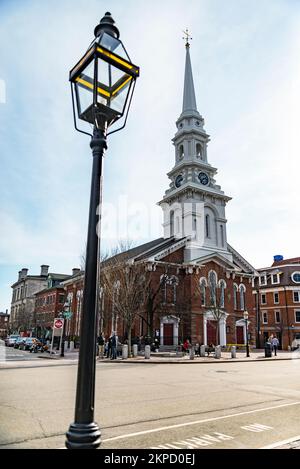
pixel 277 298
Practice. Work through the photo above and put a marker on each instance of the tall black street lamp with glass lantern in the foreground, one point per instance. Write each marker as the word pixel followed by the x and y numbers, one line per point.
pixel 103 84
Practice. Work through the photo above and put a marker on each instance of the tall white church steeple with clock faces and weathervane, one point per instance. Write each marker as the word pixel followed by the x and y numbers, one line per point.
pixel 194 205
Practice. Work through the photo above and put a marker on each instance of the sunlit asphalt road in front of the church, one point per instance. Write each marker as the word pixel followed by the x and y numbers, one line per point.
pixel 164 406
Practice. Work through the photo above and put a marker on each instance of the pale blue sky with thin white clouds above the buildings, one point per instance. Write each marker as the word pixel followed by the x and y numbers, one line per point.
pixel 245 58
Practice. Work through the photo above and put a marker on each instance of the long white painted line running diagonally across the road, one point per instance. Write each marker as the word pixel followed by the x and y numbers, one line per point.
pixel 197 422
